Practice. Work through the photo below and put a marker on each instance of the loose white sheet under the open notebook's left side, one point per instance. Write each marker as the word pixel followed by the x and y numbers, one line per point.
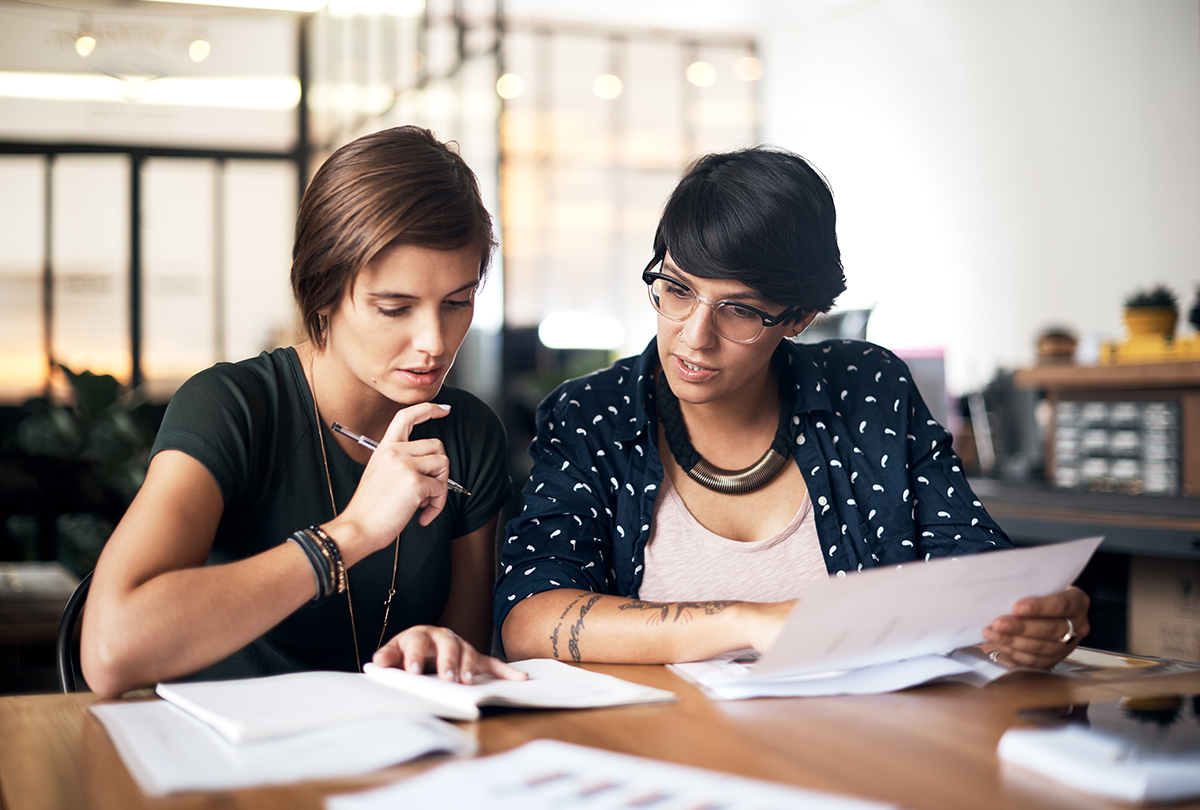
pixel 167 751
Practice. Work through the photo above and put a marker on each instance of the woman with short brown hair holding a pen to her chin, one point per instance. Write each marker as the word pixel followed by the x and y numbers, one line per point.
pixel 262 541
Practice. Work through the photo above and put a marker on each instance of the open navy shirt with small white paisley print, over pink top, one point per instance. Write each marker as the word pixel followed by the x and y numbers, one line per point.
pixel 886 487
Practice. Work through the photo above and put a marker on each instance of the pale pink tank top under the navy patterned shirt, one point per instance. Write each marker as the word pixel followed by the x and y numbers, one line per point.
pixel 686 562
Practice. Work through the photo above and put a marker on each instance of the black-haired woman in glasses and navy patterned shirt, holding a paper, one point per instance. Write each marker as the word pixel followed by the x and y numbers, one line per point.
pixel 682 501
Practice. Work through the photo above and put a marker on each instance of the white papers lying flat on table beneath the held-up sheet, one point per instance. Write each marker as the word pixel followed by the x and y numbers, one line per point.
pixel 729 681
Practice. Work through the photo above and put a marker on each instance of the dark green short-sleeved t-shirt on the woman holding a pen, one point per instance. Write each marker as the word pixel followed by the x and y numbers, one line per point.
pixel 253 425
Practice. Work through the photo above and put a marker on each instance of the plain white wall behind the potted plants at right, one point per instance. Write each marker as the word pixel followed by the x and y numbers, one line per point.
pixel 1000 166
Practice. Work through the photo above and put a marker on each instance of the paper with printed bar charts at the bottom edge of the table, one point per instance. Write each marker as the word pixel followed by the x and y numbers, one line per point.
pixel 560 776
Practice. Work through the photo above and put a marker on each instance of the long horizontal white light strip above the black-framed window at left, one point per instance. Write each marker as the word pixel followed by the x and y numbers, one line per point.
pixel 245 93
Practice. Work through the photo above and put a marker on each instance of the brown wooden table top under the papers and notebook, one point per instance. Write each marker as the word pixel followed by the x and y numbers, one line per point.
pixel 929 748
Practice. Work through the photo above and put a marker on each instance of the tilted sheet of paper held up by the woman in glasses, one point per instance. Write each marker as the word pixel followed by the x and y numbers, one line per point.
pixel 897 614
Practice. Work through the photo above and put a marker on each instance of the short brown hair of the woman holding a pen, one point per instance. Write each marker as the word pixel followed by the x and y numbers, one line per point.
pixel 399 187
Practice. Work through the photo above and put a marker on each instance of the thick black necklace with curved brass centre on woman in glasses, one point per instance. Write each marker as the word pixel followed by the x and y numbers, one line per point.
pixel 728 482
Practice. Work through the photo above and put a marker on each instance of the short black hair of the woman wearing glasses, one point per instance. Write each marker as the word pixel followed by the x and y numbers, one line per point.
pixel 763 217
